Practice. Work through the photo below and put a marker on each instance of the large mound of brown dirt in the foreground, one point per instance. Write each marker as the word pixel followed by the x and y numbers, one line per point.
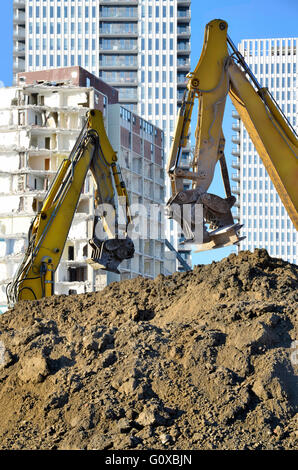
pixel 198 360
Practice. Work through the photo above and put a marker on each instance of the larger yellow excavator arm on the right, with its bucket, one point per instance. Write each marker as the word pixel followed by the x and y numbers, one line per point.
pixel 218 74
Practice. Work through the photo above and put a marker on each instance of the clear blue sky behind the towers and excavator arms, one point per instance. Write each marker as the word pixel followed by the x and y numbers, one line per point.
pixel 246 19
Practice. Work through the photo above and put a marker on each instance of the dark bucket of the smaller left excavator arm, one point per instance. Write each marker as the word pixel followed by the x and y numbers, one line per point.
pixel 108 254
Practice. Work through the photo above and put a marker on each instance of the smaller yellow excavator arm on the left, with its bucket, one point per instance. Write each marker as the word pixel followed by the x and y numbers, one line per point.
pixel 49 229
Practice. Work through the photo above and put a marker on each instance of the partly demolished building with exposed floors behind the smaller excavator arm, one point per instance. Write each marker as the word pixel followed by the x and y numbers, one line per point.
pixel 40 119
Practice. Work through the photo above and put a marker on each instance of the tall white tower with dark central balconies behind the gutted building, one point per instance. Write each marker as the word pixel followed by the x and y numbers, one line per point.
pixel 140 47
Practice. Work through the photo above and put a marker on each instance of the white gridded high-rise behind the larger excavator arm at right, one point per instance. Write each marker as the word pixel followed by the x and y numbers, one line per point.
pixel 266 223
